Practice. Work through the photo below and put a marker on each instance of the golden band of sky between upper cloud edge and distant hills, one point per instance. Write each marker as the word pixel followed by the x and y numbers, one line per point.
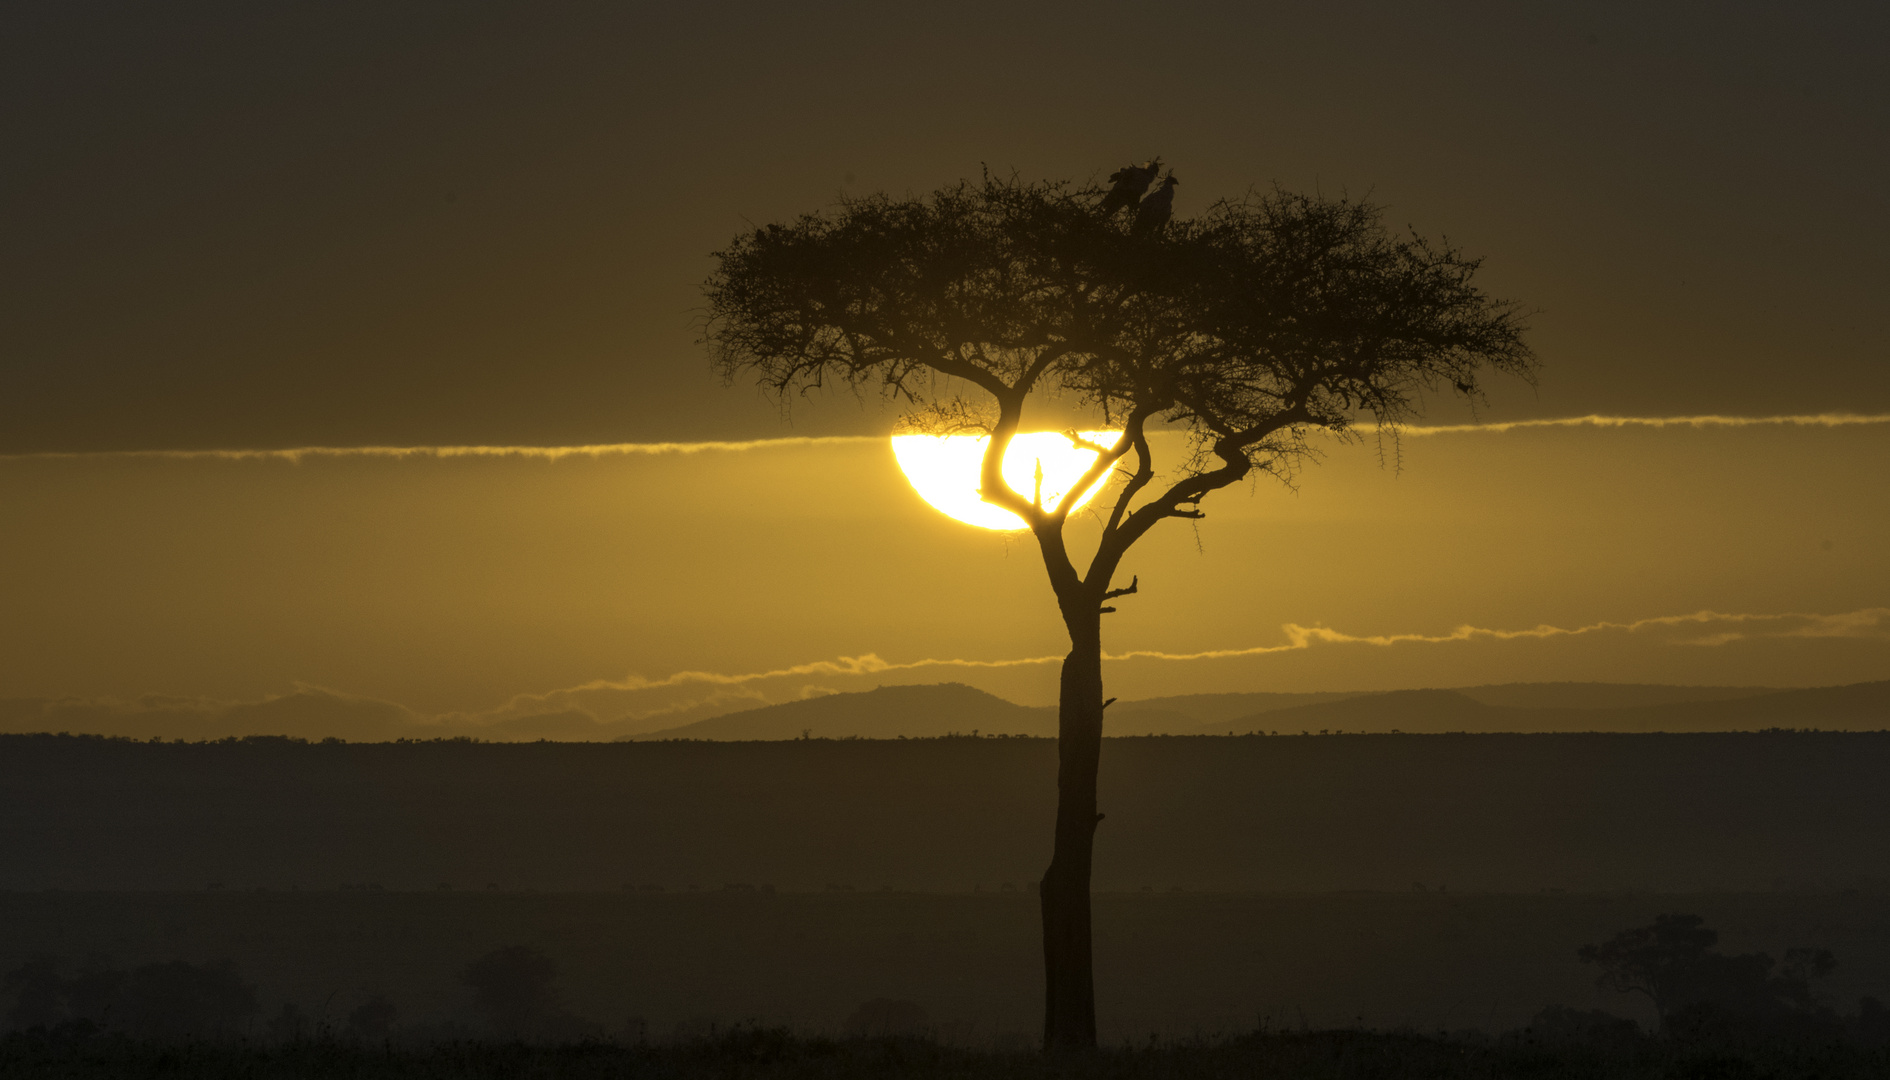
pixel 655 582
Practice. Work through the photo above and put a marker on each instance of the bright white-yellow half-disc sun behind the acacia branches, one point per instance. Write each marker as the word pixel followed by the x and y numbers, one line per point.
pixel 944 472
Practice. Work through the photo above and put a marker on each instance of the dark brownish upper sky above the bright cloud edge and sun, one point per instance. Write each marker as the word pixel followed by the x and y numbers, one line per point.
pixel 445 224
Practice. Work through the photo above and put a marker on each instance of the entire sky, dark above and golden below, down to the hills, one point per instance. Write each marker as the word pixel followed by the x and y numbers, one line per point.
pixel 232 230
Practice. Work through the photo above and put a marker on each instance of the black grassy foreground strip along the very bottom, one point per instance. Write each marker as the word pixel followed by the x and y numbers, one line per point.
pixel 768 1054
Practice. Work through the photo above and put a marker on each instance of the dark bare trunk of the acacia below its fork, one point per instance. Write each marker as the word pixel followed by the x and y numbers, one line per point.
pixel 1069 984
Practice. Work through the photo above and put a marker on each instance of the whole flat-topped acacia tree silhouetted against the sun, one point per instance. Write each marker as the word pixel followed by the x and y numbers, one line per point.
pixel 1250 328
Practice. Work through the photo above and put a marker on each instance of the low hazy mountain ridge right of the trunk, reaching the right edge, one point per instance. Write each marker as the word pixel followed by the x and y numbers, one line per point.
pixel 1863 706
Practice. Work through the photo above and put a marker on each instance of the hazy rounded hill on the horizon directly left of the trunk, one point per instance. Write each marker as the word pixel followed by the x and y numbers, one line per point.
pixel 884 714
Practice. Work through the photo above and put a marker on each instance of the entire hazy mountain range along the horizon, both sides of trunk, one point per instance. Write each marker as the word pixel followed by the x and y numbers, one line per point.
pixel 938 710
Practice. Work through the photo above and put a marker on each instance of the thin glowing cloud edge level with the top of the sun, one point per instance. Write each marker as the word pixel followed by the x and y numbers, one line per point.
pixel 296 455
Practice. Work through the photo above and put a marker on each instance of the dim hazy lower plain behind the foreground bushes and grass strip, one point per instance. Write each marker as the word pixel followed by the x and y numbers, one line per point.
pixel 1178 966
